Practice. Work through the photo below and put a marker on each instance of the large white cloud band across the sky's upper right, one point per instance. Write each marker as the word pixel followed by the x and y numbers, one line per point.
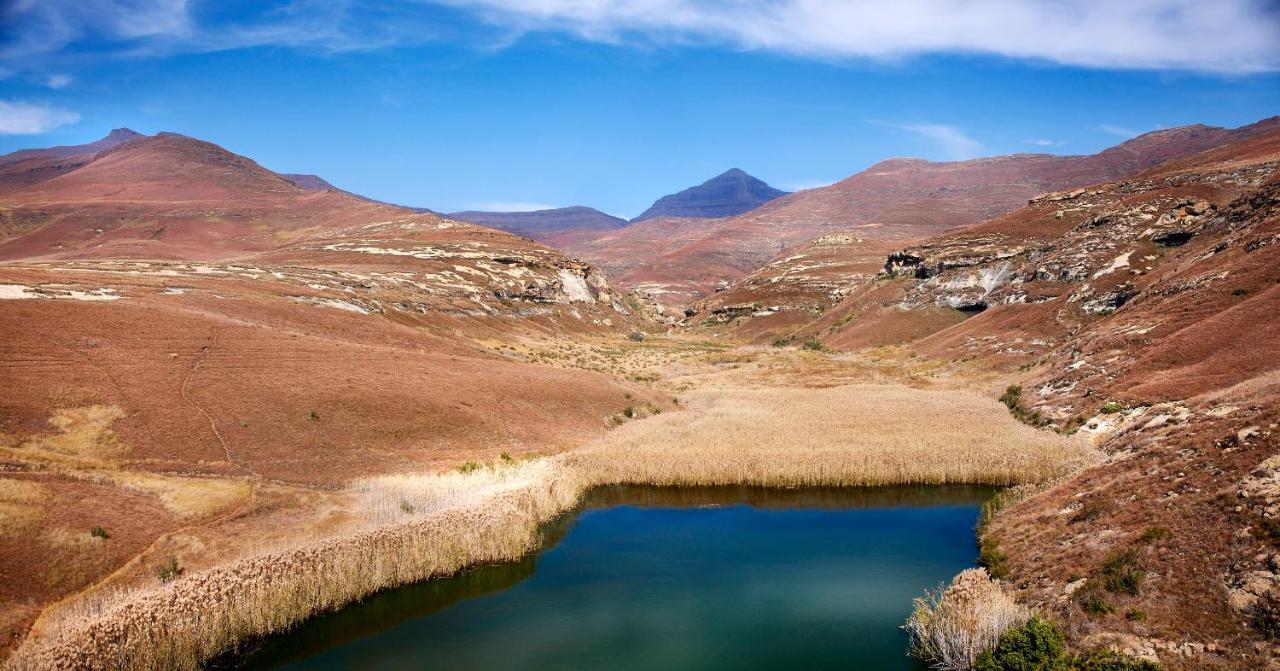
pixel 1231 36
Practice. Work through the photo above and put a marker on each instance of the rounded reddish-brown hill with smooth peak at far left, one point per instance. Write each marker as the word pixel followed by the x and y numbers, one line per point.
pixel 170 198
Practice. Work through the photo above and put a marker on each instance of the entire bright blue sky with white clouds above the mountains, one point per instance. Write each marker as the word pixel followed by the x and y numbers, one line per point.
pixel 510 104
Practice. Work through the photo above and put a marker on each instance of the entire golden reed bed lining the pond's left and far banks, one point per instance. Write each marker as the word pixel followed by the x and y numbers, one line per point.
pixel 419 527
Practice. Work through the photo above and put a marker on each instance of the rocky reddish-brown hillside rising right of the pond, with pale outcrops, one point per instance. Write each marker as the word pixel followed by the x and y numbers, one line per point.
pixel 1144 313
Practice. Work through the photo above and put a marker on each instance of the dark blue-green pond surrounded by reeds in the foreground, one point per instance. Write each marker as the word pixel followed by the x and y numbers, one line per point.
pixel 671 579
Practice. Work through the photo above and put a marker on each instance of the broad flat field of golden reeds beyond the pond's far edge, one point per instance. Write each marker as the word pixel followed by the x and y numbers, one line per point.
pixel 842 436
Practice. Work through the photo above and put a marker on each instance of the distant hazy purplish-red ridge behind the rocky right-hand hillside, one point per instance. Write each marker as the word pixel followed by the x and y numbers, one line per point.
pixel 899 199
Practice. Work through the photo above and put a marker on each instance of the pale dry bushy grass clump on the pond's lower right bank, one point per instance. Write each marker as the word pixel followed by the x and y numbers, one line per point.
pixel 950 628
